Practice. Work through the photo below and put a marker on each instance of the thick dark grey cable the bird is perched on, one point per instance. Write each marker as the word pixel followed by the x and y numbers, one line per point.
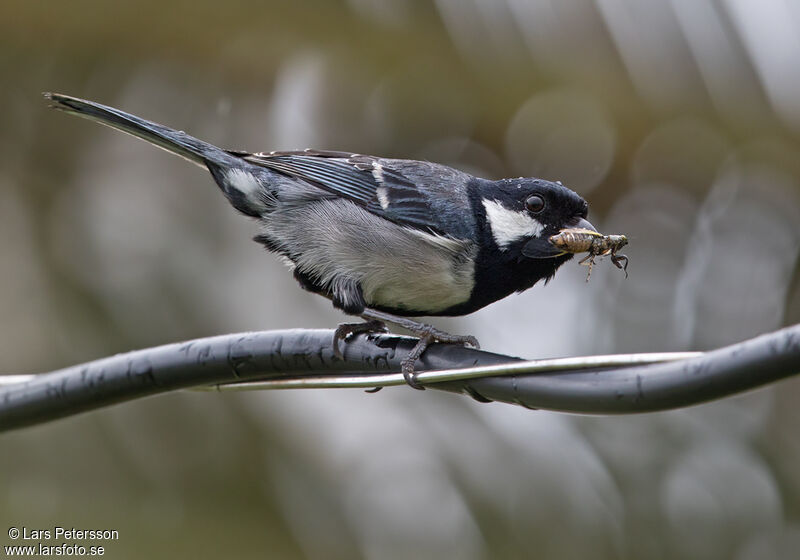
pixel 303 353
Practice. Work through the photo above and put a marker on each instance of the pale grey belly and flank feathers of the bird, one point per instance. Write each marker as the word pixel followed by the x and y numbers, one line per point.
pixel 397 267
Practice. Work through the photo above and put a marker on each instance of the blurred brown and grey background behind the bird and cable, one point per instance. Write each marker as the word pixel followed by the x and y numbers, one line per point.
pixel 678 120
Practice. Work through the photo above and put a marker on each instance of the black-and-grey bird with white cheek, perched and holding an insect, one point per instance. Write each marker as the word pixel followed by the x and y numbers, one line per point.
pixel 385 239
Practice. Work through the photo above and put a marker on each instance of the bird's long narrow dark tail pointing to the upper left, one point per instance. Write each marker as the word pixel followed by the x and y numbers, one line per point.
pixel 173 141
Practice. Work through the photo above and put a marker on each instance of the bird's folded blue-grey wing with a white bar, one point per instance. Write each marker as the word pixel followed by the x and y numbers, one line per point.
pixel 371 182
